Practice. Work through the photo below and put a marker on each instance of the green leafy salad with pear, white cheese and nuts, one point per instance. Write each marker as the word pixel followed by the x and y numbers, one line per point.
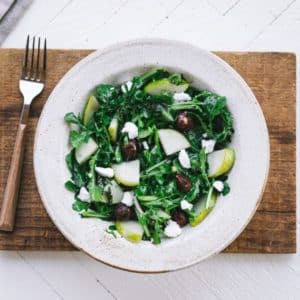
pixel 150 155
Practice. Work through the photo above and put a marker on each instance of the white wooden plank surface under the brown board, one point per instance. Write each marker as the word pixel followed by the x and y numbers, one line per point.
pixel 212 24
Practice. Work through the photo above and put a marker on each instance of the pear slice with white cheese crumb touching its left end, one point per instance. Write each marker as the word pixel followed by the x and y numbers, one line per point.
pixel 127 173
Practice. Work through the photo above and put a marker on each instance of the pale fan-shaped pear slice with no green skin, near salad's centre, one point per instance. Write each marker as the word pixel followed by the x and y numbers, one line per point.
pixel 172 141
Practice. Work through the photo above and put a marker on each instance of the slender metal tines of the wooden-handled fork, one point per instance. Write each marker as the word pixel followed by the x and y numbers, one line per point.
pixel 33 69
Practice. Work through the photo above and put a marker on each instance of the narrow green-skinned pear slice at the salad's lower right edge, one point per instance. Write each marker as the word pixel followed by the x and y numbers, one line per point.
pixel 203 208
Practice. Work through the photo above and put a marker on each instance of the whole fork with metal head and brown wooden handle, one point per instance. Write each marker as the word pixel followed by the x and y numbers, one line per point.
pixel 31 84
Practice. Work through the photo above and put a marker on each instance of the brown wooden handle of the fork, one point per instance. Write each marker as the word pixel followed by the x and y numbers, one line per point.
pixel 9 203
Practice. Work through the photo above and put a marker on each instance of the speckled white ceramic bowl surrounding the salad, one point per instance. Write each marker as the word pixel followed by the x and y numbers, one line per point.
pixel 247 179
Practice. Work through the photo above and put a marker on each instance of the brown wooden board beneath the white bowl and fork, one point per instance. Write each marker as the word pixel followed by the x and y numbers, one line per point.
pixel 272 78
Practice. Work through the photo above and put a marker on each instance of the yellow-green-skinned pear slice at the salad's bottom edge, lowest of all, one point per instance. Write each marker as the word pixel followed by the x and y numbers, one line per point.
pixel 130 230
